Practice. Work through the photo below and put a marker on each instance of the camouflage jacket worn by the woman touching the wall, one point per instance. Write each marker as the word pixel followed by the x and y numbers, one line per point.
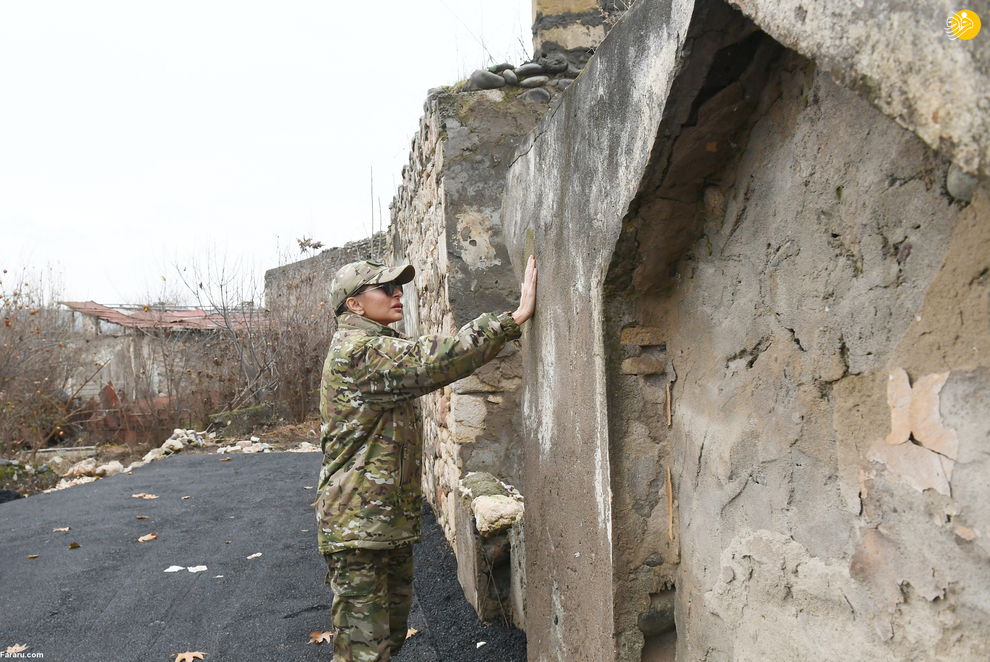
pixel 370 493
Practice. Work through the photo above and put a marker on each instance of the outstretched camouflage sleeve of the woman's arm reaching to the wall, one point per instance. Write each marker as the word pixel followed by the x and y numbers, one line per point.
pixel 398 369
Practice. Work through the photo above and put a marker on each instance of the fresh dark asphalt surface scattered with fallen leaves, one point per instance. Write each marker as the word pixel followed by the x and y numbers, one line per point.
pixel 110 599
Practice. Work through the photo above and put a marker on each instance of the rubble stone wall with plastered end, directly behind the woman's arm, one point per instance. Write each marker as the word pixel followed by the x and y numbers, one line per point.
pixel 446 221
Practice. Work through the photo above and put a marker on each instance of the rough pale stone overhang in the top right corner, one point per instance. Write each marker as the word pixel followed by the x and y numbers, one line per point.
pixel 895 54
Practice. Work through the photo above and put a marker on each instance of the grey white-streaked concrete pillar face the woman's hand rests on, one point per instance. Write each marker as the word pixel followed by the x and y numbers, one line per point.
pixel 566 193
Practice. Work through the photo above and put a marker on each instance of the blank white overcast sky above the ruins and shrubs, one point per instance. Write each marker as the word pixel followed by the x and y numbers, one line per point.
pixel 132 133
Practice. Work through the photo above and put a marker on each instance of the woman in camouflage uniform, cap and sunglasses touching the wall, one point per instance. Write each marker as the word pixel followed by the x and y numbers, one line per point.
pixel 370 502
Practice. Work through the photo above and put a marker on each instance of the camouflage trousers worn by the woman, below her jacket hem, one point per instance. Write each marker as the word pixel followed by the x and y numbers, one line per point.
pixel 372 591
